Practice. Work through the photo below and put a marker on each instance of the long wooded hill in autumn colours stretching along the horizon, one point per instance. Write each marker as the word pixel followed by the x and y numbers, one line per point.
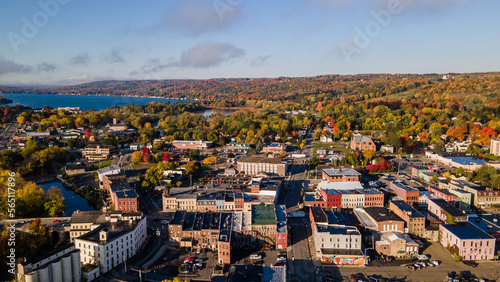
pixel 235 92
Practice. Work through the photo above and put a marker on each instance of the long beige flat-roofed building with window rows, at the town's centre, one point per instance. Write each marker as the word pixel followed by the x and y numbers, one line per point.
pixel 256 165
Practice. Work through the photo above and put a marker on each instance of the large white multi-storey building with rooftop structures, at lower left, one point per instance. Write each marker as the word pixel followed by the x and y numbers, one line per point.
pixel 112 242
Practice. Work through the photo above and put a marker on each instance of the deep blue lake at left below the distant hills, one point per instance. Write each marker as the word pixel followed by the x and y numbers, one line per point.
pixel 85 102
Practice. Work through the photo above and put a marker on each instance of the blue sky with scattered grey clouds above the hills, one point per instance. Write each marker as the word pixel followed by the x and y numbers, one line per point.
pixel 68 42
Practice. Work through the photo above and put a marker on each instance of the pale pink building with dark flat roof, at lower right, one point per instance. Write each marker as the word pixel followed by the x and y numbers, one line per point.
pixel 468 241
